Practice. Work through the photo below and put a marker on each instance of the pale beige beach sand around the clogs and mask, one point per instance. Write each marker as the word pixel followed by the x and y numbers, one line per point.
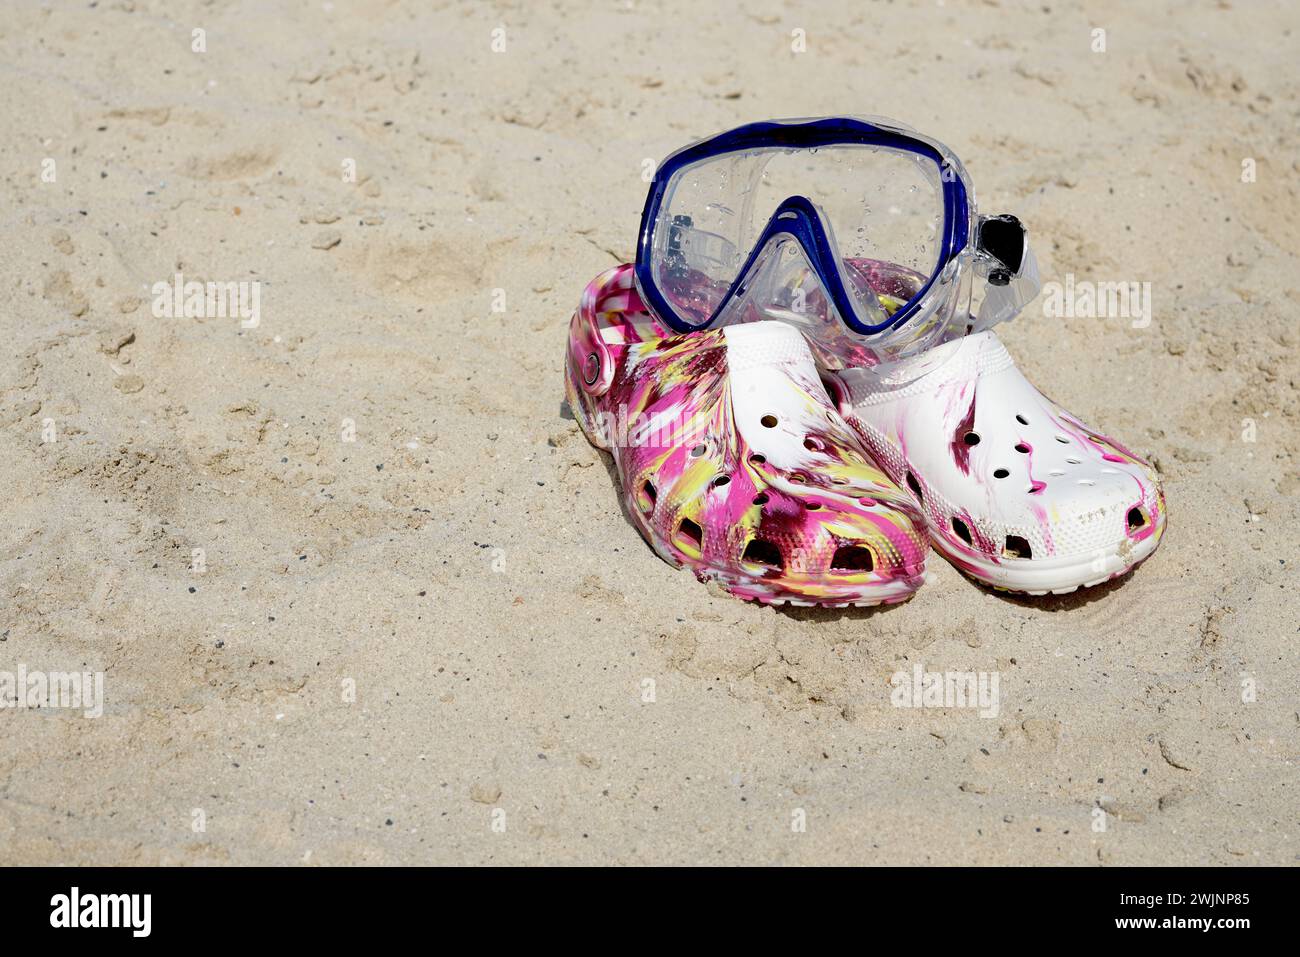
pixel 436 643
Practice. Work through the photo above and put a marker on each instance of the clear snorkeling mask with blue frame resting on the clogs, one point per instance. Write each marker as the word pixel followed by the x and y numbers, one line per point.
pixel 863 233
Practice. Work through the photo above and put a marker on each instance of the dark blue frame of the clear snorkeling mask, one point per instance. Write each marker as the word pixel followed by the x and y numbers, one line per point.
pixel 799 218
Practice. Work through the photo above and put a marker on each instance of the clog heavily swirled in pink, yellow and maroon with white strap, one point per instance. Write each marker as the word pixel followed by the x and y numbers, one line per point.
pixel 733 461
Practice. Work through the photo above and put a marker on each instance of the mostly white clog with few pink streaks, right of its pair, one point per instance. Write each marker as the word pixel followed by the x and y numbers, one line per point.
pixel 1017 492
